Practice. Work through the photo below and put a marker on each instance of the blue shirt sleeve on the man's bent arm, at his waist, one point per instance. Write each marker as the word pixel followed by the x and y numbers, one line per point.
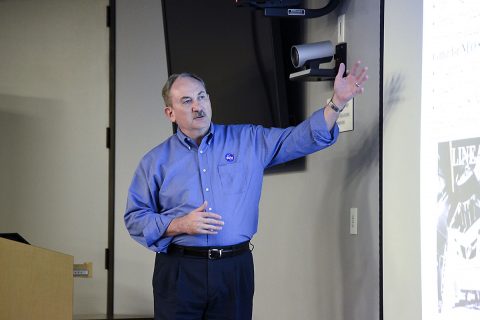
pixel 142 218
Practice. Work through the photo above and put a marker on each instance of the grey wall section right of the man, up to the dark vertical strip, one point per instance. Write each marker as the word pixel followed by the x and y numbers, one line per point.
pixel 304 253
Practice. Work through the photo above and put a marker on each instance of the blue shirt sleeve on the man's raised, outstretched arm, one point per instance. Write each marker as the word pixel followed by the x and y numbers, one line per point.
pixel 281 145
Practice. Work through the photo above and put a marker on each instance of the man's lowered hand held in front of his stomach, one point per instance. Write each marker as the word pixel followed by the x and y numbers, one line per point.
pixel 196 222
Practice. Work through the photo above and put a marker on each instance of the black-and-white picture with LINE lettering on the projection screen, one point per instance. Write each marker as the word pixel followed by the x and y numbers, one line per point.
pixel 458 225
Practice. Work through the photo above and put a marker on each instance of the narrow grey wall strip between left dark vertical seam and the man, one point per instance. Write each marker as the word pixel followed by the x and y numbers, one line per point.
pixel 140 125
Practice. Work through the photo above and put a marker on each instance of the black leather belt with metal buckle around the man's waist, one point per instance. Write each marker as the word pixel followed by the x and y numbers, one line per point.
pixel 211 253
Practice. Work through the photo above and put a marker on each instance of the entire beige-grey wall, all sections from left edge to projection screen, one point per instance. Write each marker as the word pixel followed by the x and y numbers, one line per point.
pixel 53 164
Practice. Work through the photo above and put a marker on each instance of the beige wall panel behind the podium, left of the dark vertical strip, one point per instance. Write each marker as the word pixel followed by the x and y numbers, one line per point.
pixel 53 115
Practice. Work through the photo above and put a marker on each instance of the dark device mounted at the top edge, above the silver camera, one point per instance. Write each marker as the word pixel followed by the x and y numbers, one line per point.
pixel 288 8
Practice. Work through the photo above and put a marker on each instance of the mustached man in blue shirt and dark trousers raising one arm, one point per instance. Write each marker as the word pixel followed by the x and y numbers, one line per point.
pixel 194 198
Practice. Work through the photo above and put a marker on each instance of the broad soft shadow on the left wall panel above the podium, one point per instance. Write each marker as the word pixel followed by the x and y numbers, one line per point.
pixel 28 127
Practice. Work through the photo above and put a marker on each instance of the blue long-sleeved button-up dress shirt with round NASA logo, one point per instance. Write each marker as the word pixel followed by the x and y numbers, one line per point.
pixel 226 170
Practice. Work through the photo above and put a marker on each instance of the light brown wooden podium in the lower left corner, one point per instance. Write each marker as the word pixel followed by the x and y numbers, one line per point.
pixel 35 283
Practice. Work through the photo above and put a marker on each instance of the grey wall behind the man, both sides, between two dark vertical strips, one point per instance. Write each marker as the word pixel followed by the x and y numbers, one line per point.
pixel 308 266
